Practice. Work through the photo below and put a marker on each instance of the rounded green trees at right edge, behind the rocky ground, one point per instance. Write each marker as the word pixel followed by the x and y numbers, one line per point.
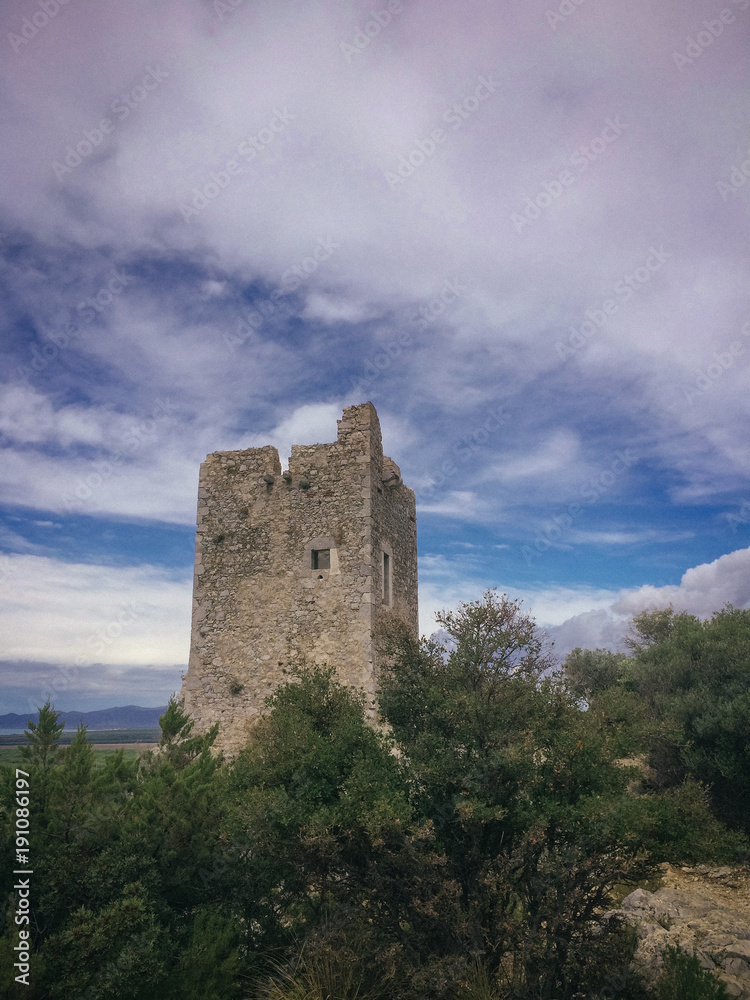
pixel 682 699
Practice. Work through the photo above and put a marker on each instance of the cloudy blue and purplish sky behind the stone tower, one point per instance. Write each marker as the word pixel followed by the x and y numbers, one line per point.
pixel 520 230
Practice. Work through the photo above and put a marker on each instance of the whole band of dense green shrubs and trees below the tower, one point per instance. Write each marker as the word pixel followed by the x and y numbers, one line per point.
pixel 462 849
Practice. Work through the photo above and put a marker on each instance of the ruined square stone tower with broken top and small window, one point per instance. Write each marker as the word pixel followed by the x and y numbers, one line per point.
pixel 296 568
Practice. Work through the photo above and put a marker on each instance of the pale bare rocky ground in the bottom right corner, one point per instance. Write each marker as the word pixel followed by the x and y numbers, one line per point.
pixel 704 910
